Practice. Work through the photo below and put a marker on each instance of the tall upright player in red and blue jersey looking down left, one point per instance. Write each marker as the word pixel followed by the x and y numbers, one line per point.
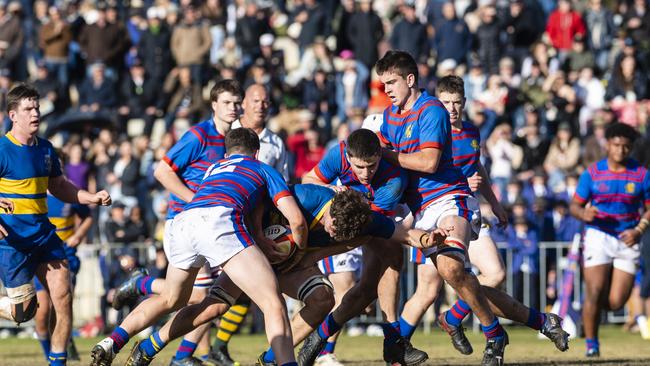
pixel 417 132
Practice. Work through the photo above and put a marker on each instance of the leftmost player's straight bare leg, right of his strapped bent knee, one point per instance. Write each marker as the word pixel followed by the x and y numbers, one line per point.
pixel 55 276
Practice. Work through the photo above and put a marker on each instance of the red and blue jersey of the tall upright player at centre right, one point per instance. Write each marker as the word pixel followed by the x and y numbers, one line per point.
pixel 426 125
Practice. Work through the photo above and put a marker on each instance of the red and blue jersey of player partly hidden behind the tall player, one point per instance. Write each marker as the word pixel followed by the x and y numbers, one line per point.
pixel 466 148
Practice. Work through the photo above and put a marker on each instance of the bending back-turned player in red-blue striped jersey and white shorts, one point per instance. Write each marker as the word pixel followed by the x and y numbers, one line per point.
pixel 211 228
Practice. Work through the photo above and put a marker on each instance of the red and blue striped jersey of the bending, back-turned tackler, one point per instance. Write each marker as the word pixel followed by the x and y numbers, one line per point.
pixel 239 182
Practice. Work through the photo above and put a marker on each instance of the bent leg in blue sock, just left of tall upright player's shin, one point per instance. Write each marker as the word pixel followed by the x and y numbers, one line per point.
pixel 426 292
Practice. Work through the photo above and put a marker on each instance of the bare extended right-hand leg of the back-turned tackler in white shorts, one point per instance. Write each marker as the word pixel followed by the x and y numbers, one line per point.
pixel 262 287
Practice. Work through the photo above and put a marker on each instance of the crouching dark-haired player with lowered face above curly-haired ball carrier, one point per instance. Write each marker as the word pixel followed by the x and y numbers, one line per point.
pixel 357 164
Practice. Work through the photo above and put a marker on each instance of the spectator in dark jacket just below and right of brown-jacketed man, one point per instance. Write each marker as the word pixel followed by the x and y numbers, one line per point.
pixel 140 99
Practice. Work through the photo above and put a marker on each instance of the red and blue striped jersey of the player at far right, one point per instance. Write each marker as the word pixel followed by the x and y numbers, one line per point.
pixel 618 196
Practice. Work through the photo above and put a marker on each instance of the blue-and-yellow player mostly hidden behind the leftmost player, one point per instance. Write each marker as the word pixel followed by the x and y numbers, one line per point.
pixel 64 216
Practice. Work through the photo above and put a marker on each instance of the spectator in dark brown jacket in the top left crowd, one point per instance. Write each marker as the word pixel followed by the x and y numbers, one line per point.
pixel 103 42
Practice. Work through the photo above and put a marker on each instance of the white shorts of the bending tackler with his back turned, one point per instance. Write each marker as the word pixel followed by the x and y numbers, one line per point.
pixel 206 234
